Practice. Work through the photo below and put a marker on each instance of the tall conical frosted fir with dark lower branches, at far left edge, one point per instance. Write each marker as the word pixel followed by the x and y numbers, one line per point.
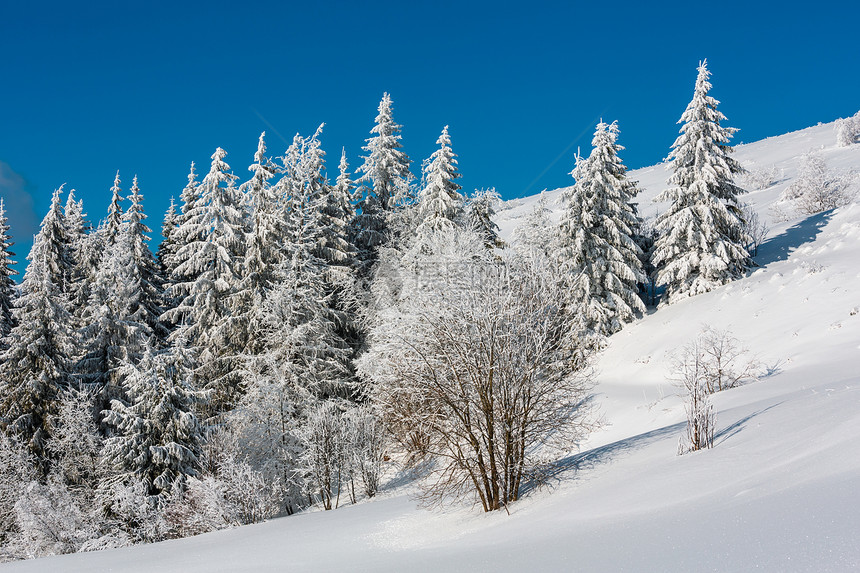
pixel 35 366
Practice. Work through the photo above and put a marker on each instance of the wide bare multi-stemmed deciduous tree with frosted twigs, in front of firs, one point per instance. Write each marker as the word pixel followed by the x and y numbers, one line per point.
pixel 469 367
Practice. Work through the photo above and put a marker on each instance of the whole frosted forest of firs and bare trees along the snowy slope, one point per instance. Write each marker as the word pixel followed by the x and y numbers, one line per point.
pixel 298 333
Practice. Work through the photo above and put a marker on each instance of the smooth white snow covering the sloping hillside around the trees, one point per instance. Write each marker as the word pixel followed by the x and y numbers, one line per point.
pixel 780 491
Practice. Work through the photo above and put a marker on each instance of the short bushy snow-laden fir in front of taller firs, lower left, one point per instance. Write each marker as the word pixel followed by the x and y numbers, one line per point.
pixel 157 438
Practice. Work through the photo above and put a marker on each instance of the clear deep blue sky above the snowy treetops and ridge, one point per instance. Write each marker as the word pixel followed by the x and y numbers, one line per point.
pixel 90 88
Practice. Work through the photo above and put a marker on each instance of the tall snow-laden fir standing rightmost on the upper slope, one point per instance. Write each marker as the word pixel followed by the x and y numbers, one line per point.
pixel 701 234
